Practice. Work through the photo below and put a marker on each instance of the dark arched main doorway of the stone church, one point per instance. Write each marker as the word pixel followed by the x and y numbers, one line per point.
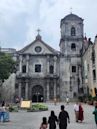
pixel 37 94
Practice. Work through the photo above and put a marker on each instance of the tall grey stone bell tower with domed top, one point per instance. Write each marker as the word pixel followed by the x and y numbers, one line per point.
pixel 70 46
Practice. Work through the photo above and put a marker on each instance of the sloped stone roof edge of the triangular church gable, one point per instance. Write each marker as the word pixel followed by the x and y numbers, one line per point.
pixel 38 38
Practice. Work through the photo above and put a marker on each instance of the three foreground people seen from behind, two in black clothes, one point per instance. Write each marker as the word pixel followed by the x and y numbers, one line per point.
pixel 61 120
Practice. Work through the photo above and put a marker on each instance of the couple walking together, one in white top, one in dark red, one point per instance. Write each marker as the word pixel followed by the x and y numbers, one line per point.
pixel 79 112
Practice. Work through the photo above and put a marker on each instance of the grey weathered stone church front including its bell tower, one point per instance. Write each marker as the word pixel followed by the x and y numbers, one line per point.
pixel 45 74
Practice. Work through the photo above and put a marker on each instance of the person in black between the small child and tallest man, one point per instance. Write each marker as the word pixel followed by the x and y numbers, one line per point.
pixel 52 120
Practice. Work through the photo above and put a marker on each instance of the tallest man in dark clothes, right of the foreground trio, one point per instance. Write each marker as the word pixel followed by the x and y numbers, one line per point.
pixel 63 118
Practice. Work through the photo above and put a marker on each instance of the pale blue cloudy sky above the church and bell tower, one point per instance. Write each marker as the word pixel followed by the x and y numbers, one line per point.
pixel 20 19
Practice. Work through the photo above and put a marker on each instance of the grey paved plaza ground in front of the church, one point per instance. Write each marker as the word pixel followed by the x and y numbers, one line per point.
pixel 32 120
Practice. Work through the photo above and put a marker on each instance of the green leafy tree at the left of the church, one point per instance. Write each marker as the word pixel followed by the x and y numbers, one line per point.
pixel 7 65
